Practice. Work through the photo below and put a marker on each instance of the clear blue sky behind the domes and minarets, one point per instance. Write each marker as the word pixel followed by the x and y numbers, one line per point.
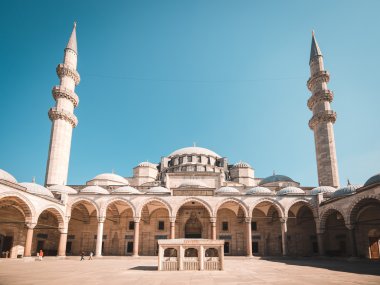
pixel 160 75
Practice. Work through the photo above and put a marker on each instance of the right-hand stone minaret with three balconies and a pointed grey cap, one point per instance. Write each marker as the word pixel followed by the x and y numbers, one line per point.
pixel 323 118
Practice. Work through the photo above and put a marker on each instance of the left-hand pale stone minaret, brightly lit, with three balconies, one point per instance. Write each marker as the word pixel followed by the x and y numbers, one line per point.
pixel 62 115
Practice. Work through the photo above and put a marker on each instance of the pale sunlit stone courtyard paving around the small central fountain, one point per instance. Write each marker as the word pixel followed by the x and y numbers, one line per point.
pixel 142 270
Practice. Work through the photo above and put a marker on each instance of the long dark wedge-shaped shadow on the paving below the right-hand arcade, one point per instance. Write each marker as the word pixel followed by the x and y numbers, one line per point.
pixel 358 266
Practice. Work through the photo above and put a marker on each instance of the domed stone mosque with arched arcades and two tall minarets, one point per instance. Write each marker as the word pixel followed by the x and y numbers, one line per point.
pixel 192 192
